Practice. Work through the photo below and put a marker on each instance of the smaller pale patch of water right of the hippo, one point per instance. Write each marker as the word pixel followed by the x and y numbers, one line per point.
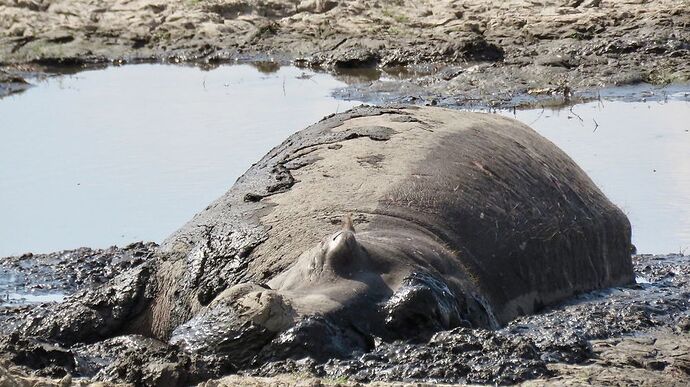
pixel 638 153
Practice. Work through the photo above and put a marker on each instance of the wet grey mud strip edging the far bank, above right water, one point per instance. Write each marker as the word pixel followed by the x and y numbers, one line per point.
pixel 437 89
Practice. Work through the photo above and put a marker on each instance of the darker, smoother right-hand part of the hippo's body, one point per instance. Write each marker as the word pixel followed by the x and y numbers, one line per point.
pixel 528 224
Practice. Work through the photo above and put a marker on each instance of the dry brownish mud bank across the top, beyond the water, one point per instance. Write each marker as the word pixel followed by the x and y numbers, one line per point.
pixel 467 53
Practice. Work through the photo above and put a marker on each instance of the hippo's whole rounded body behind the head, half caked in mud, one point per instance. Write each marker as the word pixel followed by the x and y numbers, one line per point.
pixel 528 225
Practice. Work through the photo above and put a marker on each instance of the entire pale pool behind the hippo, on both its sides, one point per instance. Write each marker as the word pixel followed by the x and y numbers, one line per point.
pixel 131 153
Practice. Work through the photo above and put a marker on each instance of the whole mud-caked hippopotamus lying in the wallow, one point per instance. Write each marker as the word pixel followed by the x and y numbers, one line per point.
pixel 380 223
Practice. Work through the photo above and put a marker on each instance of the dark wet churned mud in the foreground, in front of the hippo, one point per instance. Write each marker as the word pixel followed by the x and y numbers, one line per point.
pixel 580 333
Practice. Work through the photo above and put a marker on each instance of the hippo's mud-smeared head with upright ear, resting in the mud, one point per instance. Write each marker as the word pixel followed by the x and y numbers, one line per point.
pixel 338 297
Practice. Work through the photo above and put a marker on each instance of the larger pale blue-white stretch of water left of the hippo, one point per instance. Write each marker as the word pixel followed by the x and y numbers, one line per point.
pixel 131 153
